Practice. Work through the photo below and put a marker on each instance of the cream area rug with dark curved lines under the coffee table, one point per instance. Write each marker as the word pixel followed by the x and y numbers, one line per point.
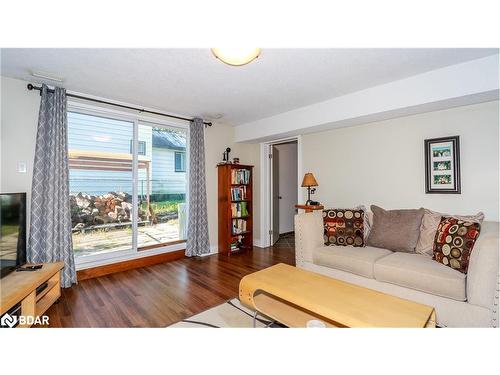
pixel 231 314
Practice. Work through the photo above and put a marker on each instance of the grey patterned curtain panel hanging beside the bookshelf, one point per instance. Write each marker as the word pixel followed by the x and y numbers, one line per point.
pixel 197 236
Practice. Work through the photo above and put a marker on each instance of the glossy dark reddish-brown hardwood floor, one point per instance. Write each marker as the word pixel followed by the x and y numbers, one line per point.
pixel 162 294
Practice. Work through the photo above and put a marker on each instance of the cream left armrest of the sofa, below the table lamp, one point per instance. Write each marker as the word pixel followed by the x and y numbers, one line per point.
pixel 308 236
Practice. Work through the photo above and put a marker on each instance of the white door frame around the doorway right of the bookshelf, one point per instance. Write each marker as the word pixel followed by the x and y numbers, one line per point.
pixel 265 185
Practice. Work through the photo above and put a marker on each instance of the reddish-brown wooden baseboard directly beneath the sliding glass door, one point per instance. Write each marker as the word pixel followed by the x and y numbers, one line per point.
pixel 90 273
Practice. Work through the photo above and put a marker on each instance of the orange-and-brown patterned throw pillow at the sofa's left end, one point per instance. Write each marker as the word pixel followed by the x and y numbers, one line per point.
pixel 343 227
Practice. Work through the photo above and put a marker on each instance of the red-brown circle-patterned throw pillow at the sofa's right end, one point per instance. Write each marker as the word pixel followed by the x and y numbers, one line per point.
pixel 454 242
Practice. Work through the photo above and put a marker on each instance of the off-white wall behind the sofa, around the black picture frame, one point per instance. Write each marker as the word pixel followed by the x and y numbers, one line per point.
pixel 382 163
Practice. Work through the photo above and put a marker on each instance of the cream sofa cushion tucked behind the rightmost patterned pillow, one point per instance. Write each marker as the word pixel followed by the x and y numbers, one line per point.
pixel 428 229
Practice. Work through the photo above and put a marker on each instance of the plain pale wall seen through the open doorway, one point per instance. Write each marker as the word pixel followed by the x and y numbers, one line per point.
pixel 287 185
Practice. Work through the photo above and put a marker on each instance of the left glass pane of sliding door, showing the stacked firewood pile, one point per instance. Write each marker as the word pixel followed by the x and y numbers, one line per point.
pixel 100 183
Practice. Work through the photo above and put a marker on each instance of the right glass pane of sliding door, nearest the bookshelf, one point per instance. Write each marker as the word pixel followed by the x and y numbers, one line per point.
pixel 162 190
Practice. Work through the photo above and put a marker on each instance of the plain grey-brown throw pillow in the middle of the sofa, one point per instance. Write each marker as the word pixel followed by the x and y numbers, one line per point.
pixel 396 230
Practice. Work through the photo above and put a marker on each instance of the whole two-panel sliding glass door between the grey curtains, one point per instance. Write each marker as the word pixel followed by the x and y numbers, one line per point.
pixel 127 185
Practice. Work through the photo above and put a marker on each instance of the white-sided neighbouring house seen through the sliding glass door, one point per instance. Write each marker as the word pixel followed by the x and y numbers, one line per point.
pixel 163 151
